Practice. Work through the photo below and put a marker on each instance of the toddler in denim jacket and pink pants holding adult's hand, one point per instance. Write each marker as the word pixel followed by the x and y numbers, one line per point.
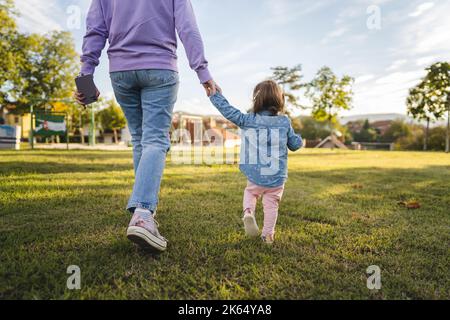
pixel 267 134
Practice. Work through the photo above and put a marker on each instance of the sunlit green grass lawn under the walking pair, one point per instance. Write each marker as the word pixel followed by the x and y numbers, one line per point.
pixel 340 214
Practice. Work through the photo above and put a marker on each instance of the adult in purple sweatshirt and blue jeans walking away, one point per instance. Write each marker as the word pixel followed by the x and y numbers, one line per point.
pixel 143 69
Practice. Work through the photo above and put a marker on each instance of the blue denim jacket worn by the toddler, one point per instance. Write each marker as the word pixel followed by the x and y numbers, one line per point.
pixel 265 143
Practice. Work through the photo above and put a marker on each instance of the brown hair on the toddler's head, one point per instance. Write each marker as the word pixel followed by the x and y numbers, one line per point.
pixel 268 96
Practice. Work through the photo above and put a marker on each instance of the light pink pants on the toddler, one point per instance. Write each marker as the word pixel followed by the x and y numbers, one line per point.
pixel 271 198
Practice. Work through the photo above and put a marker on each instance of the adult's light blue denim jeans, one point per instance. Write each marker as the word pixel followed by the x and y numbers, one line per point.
pixel 147 98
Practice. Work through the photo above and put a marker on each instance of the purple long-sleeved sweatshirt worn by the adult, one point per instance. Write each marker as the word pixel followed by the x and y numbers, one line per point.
pixel 141 35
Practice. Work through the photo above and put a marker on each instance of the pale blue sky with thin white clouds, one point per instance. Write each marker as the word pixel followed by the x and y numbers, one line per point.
pixel 384 44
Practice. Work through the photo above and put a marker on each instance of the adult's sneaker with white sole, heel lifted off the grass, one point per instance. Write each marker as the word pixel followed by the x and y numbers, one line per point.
pixel 144 232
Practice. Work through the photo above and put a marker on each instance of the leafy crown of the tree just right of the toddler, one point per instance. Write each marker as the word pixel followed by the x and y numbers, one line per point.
pixel 329 95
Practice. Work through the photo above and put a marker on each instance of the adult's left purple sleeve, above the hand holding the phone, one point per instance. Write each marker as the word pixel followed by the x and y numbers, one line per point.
pixel 95 39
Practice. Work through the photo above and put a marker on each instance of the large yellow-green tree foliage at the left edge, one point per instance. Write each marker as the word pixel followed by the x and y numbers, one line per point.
pixel 35 69
